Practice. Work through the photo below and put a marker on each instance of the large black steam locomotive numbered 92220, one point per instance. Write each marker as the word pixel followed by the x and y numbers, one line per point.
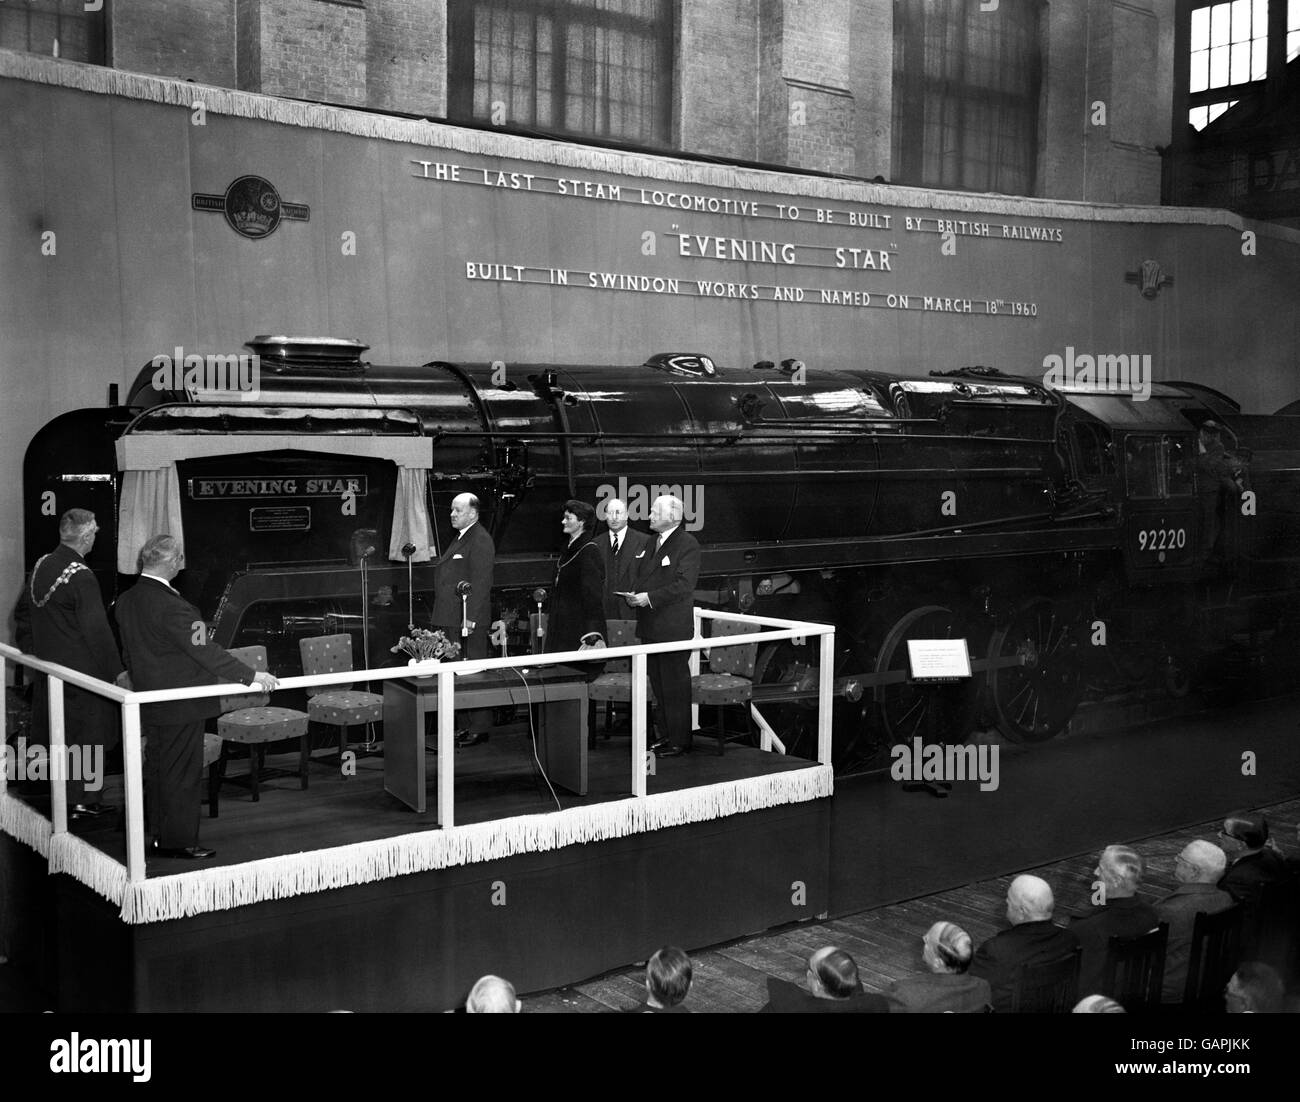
pixel 1065 535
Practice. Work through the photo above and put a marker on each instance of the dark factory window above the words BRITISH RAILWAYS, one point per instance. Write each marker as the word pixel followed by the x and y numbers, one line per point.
pixel 967 88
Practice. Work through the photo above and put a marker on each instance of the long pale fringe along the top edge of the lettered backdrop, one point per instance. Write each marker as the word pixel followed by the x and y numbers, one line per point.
pixel 138 86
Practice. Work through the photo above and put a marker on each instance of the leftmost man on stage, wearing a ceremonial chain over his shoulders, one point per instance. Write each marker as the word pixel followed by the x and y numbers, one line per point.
pixel 62 619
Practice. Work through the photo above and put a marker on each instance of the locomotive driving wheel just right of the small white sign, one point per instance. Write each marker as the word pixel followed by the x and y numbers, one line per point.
pixel 1035 701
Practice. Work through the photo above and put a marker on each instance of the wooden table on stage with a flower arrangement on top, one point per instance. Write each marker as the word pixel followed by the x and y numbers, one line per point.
pixel 561 736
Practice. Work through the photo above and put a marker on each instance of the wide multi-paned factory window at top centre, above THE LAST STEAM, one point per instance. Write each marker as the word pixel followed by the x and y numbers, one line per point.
pixel 582 68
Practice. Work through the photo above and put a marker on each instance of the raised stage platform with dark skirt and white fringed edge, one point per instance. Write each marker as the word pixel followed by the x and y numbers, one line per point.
pixel 388 939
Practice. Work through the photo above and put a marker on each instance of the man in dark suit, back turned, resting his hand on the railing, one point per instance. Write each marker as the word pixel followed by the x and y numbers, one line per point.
pixel 166 647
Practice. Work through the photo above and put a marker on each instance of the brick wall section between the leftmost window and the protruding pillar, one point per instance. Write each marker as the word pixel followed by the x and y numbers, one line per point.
pixel 189 40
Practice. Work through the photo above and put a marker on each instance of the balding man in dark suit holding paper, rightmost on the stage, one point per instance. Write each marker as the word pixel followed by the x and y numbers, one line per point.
pixel 666 585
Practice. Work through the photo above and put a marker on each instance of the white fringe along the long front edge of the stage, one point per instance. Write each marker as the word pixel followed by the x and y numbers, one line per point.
pixel 283 878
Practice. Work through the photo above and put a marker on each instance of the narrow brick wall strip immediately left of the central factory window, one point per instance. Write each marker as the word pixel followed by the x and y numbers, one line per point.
pixel 406 62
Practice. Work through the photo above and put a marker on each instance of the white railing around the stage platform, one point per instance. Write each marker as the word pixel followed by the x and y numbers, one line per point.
pixel 769 631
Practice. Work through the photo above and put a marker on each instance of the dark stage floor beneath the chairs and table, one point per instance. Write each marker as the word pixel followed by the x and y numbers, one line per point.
pixel 496 780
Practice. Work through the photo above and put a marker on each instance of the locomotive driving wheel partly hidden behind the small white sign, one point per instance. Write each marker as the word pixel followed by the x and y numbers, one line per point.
pixel 937 713
